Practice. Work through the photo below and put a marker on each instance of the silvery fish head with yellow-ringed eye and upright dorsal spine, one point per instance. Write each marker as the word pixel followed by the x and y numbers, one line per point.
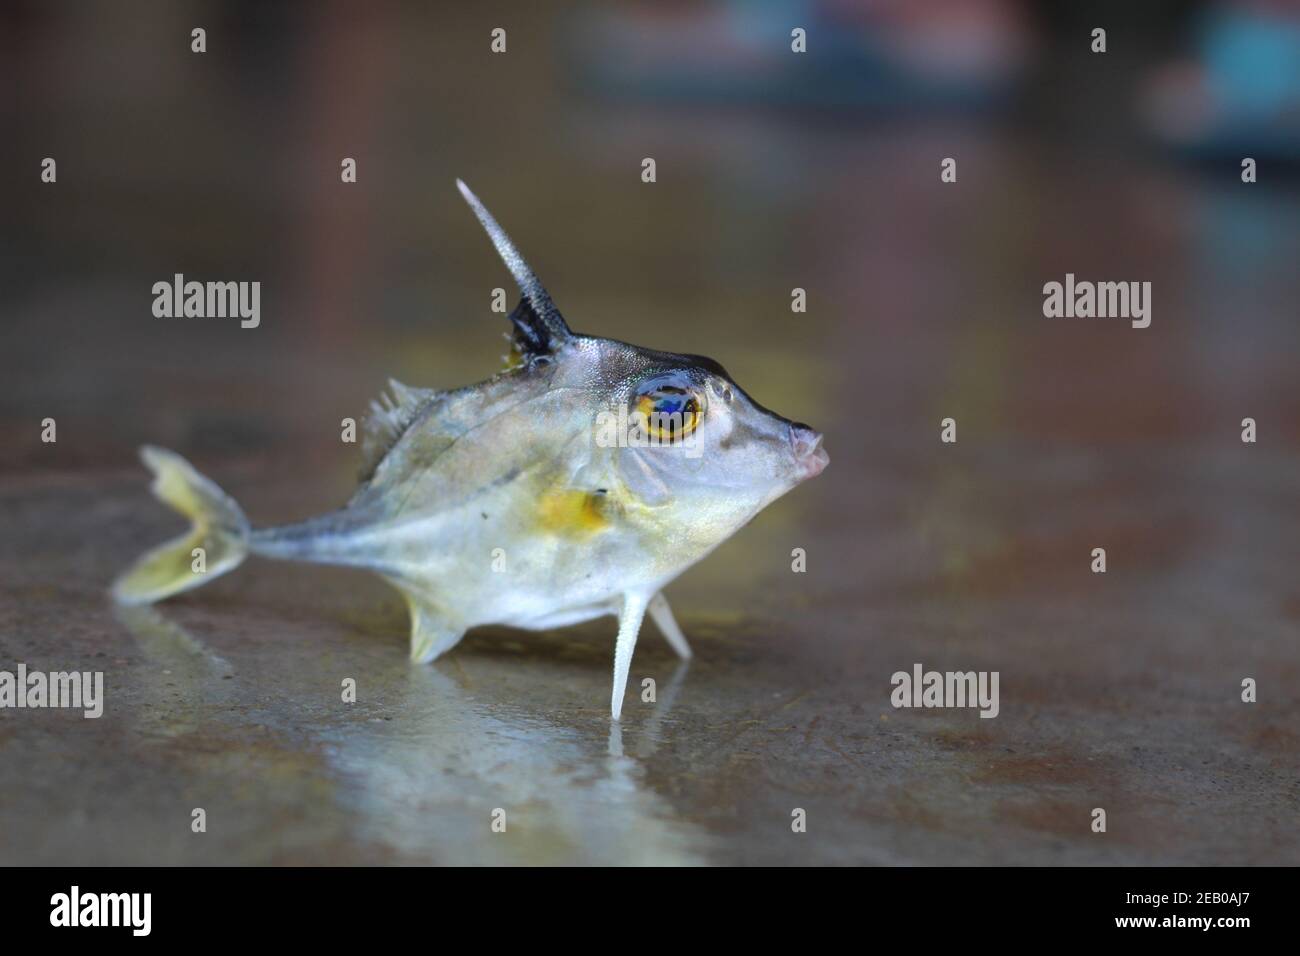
pixel 687 448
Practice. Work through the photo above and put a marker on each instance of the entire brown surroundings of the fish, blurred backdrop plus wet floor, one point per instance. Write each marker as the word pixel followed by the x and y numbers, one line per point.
pixel 774 171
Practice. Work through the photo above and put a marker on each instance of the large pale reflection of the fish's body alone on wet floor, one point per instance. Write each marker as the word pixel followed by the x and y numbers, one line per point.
pixel 430 782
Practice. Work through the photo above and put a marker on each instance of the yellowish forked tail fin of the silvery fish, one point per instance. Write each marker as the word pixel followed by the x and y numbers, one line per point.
pixel 215 544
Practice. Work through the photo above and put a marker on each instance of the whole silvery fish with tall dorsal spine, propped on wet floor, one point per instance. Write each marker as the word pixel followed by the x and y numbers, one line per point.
pixel 574 485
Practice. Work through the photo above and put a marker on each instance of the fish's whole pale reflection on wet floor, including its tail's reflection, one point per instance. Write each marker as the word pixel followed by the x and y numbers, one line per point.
pixel 427 781
